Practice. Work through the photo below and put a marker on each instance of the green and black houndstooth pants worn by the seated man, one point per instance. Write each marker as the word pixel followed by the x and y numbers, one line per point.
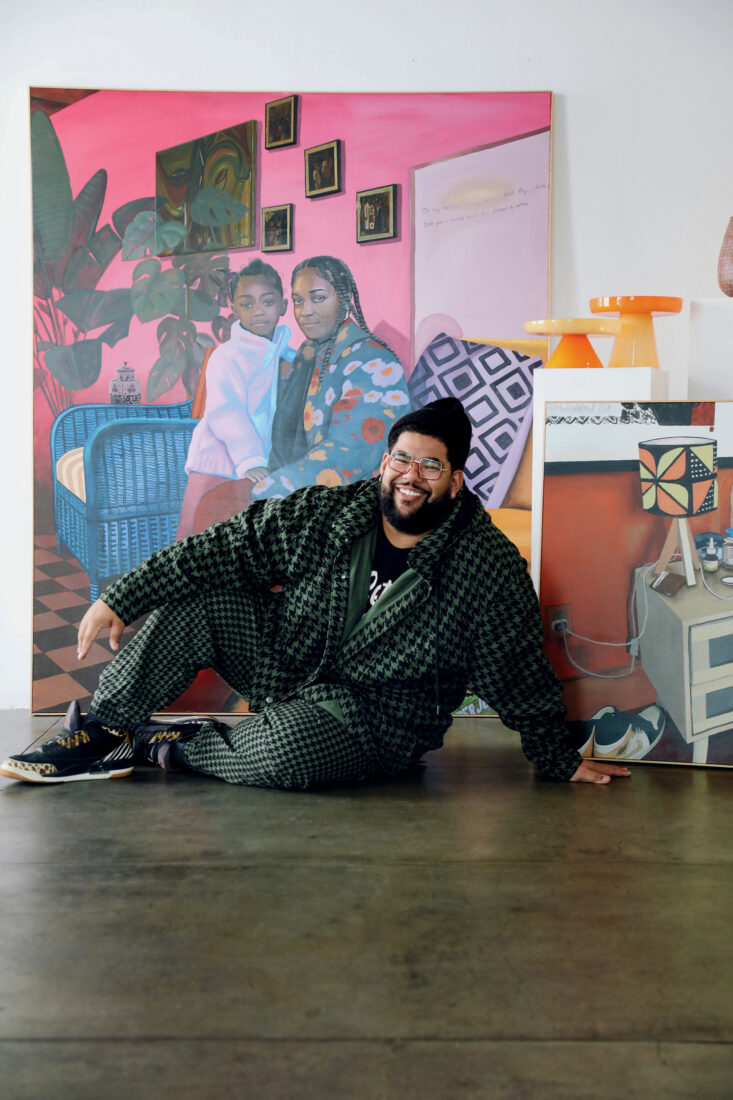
pixel 291 745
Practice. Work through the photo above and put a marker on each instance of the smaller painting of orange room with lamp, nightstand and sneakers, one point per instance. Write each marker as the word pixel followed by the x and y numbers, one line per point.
pixel 637 578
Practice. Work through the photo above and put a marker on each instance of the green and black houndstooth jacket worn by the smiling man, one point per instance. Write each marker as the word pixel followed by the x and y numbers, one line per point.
pixel 469 622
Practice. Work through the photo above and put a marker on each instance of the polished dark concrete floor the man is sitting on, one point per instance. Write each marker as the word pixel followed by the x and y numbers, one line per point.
pixel 468 931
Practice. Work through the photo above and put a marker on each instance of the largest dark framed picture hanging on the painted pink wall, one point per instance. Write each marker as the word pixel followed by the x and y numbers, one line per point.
pixel 206 193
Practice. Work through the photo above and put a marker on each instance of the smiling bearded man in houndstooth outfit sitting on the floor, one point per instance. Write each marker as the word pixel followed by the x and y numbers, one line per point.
pixel 353 619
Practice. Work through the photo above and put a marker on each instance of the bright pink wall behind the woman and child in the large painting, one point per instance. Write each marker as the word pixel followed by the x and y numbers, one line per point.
pixel 384 137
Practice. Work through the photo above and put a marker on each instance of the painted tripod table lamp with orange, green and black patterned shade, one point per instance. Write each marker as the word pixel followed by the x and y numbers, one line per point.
pixel 680 479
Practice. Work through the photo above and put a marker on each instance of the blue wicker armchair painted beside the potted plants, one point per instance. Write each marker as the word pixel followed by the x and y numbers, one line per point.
pixel 134 481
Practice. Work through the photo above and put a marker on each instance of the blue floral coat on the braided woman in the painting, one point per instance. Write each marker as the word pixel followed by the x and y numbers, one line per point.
pixel 349 406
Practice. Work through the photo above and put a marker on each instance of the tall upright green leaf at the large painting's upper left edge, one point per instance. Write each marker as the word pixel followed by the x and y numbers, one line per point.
pixel 53 211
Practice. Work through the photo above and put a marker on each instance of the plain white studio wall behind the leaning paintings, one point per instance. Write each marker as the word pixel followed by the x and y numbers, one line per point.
pixel 643 158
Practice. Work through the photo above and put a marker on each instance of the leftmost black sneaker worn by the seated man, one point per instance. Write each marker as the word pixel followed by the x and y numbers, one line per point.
pixel 90 752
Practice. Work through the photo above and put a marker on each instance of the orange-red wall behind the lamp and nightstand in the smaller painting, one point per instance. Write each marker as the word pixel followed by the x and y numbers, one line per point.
pixel 595 534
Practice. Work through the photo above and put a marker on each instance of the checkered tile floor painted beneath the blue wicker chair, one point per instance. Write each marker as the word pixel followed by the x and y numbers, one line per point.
pixel 61 597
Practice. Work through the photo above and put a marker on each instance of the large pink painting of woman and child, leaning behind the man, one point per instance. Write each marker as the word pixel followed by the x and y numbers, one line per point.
pixel 158 222
